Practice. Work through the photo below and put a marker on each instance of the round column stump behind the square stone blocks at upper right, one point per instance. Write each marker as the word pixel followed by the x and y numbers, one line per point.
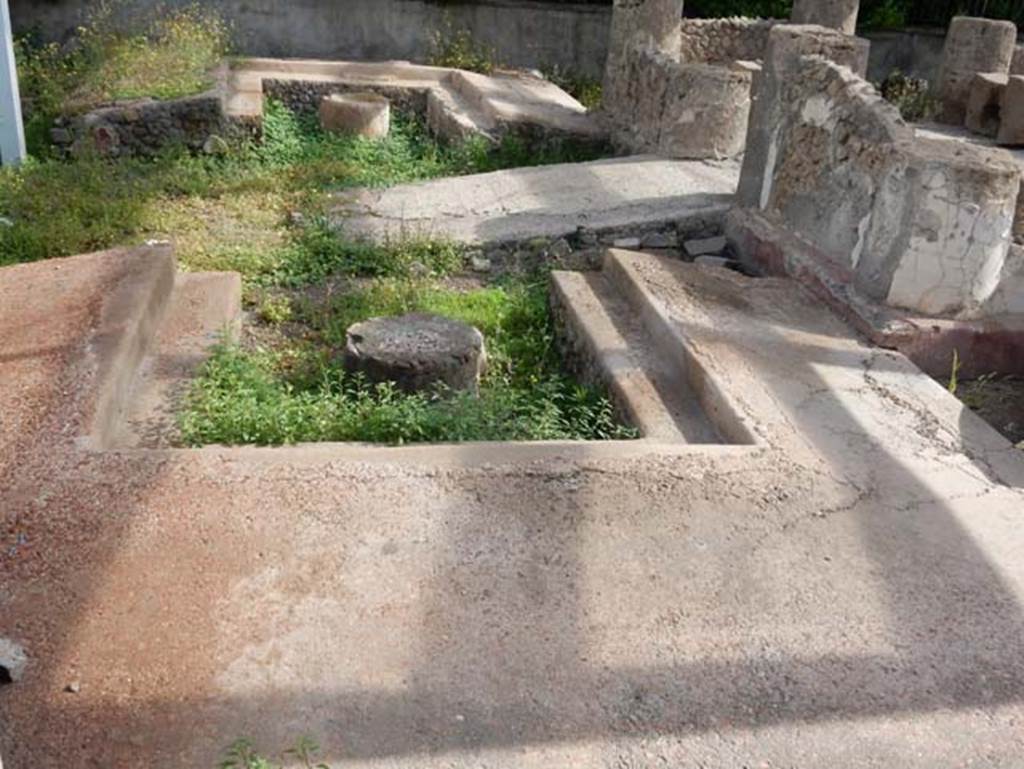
pixel 973 47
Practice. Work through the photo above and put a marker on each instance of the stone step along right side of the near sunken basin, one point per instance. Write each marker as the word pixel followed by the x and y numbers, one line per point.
pixel 616 350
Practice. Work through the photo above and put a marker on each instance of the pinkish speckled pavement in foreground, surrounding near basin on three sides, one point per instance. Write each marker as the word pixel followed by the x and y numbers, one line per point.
pixel 846 594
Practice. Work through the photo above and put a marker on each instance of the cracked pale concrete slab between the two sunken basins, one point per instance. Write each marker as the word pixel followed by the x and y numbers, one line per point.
pixel 552 201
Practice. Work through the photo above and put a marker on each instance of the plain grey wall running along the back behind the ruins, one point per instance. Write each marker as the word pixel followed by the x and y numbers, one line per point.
pixel 523 33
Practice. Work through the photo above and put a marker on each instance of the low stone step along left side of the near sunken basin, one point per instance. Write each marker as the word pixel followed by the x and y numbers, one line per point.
pixel 204 309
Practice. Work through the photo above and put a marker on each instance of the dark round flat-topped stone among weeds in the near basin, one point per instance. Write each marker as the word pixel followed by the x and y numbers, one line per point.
pixel 417 353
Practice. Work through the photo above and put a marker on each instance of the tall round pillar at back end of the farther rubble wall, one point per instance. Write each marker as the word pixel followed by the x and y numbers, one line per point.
pixel 654 24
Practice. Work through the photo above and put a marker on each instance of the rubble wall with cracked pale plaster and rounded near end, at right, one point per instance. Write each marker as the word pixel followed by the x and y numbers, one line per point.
pixel 921 225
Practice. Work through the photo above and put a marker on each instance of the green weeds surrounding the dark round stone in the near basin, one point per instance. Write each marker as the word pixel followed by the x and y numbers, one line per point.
pixel 300 392
